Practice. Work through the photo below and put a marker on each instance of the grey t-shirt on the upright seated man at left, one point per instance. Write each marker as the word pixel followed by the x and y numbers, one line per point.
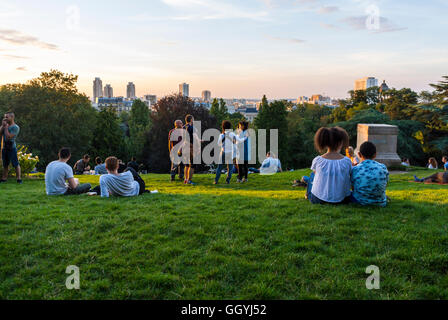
pixel 56 174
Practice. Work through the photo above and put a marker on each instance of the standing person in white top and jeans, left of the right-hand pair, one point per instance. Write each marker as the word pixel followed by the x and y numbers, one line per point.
pixel 227 141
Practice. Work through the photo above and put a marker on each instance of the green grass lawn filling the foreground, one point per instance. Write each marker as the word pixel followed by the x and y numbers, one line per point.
pixel 260 240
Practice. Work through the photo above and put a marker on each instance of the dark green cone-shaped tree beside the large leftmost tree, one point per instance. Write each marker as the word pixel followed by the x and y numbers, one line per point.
pixel 107 138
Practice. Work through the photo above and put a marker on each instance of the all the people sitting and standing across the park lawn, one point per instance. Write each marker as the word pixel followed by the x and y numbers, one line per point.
pixel 335 179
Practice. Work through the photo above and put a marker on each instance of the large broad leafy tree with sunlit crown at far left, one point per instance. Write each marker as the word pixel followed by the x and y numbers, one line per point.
pixel 51 114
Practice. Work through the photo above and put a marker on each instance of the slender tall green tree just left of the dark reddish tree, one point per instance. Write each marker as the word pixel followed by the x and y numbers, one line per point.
pixel 139 125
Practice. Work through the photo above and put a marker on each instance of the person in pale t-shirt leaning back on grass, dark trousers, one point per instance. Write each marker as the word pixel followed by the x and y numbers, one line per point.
pixel 126 184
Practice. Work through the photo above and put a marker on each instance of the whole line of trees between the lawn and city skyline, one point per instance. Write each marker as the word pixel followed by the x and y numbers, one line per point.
pixel 52 113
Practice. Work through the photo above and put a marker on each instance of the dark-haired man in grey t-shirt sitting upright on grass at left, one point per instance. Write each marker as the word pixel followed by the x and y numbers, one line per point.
pixel 58 172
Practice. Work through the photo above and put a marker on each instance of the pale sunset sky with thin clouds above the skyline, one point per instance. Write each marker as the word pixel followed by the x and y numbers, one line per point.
pixel 244 49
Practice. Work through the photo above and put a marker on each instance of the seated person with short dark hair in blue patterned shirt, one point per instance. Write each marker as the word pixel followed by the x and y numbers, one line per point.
pixel 369 178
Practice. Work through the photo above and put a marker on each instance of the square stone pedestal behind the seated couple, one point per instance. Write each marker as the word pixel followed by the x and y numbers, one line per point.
pixel 384 137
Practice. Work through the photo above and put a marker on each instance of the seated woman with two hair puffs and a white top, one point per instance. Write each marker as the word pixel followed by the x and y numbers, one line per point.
pixel 330 180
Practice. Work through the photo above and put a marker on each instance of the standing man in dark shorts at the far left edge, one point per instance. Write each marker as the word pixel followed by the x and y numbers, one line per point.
pixel 9 131
